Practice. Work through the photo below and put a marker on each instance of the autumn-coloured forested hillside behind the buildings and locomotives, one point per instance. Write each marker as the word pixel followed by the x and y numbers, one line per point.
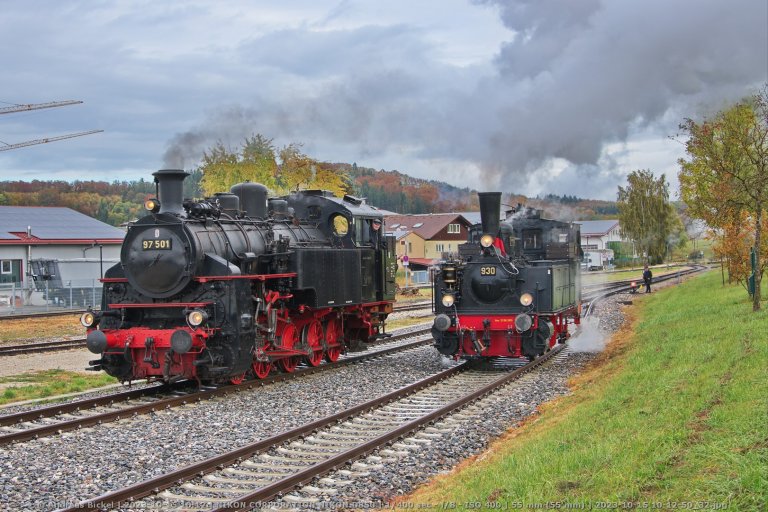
pixel 122 201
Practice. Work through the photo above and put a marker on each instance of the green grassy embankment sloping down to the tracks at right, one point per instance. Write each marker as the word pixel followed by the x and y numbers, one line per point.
pixel 674 415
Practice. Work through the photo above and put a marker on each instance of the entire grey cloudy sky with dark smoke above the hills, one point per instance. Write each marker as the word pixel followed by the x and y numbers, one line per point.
pixel 528 96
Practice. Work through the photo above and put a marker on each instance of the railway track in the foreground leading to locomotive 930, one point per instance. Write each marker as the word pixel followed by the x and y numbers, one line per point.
pixel 244 478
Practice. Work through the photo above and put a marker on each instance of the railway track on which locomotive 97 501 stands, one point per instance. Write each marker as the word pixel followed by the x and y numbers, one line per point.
pixel 63 417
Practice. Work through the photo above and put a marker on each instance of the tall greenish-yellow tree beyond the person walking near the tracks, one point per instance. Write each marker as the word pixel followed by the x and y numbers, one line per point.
pixel 645 213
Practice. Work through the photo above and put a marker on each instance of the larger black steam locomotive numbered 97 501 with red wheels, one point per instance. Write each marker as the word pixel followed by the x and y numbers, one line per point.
pixel 236 284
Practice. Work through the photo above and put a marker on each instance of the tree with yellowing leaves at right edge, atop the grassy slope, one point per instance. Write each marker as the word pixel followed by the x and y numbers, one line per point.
pixel 724 181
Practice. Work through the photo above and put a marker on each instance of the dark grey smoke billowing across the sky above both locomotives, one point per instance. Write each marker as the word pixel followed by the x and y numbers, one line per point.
pixel 574 77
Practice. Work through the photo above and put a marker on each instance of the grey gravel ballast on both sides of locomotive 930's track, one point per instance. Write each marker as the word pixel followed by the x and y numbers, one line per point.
pixel 62 470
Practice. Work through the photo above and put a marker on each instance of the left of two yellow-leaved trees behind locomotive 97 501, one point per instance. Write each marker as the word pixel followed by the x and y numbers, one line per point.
pixel 223 167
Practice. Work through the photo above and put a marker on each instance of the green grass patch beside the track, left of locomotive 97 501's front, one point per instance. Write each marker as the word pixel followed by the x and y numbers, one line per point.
pixel 49 383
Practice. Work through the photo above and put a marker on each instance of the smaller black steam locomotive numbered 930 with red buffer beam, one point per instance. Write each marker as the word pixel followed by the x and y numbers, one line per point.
pixel 513 289
